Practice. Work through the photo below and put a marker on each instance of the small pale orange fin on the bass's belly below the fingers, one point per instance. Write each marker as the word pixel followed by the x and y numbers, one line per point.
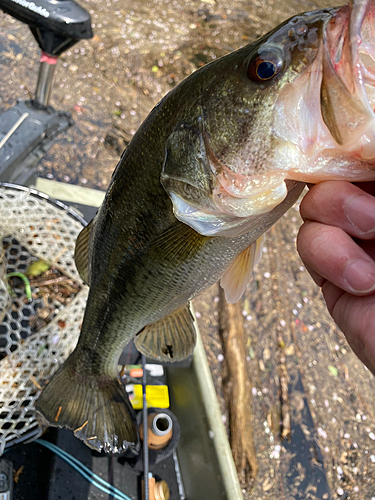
pixel 238 275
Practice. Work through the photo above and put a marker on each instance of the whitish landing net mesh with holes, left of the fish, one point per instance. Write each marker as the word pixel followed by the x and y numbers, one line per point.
pixel 32 226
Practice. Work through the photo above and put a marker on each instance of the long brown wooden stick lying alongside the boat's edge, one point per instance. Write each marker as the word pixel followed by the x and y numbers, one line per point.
pixel 237 389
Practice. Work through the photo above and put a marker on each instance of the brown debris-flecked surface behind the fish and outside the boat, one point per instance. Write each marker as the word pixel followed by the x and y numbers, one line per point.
pixel 139 52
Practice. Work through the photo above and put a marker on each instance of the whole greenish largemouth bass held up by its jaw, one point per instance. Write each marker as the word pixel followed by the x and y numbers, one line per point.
pixel 215 164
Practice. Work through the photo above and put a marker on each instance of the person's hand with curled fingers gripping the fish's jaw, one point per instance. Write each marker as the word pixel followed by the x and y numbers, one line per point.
pixel 337 245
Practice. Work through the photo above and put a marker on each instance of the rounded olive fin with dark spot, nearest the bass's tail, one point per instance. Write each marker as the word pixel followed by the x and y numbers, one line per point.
pixel 170 339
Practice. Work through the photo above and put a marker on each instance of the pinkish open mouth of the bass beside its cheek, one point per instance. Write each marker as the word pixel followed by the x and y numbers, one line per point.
pixel 347 96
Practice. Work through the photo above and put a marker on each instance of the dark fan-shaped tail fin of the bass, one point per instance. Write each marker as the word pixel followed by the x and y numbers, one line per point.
pixel 97 410
